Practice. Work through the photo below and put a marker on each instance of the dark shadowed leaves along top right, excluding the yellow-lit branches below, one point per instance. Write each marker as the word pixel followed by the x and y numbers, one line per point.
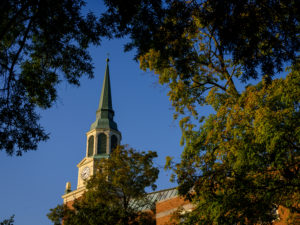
pixel 262 34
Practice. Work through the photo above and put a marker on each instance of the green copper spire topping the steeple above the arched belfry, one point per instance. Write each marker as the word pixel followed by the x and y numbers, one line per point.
pixel 105 113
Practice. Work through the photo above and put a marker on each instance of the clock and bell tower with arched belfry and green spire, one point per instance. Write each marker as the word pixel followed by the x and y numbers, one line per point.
pixel 102 139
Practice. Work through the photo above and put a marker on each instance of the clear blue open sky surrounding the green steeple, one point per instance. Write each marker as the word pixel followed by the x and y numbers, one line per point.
pixel 34 183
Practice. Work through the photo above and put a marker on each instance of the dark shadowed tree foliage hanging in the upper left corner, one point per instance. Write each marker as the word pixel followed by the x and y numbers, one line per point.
pixel 41 43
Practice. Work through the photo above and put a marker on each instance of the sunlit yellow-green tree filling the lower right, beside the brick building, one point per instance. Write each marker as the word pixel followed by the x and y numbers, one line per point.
pixel 243 162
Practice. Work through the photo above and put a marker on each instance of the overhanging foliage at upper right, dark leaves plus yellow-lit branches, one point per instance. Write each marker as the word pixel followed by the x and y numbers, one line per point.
pixel 195 46
